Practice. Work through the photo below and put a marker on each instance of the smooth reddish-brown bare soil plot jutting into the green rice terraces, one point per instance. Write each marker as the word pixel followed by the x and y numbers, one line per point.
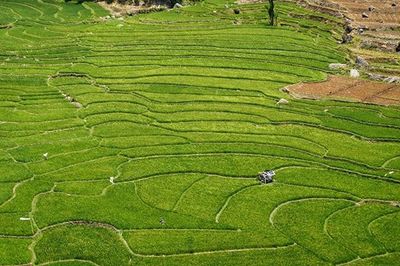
pixel 348 89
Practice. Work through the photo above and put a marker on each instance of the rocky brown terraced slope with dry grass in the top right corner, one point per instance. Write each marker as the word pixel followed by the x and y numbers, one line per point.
pixel 371 31
